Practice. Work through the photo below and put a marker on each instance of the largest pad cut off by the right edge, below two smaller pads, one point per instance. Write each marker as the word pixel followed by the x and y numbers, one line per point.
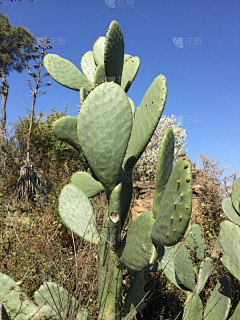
pixel 229 238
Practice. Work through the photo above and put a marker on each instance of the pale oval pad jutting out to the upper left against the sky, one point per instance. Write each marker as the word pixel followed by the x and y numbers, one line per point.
pixel 66 73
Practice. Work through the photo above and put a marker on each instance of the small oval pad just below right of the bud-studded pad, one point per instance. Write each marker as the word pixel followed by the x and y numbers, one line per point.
pixel 196 242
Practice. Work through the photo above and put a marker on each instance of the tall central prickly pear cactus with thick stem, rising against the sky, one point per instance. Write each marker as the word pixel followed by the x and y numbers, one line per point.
pixel 112 136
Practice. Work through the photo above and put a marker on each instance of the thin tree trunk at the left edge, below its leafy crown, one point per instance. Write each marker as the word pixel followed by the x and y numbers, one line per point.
pixel 4 94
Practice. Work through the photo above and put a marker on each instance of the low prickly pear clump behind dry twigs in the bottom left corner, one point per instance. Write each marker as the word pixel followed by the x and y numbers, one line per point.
pixel 51 301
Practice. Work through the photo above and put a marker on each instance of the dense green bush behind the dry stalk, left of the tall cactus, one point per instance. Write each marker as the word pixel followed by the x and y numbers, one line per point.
pixel 48 154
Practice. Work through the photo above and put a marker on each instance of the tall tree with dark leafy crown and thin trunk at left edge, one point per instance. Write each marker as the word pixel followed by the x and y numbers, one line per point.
pixel 16 47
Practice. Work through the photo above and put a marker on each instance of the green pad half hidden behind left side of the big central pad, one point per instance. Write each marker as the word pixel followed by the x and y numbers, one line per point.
pixel 65 130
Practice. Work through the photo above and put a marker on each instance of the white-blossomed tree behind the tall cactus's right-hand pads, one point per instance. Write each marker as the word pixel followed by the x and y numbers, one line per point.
pixel 145 169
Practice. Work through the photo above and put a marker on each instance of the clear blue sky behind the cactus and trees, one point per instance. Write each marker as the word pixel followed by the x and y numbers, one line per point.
pixel 195 44
